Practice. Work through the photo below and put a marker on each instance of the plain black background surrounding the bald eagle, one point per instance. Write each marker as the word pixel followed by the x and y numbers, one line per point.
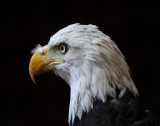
pixel 132 24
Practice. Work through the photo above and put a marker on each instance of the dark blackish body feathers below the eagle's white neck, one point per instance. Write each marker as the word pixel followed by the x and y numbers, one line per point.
pixel 124 111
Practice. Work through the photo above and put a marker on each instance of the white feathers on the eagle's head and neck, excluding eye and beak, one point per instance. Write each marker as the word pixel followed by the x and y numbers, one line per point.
pixel 94 67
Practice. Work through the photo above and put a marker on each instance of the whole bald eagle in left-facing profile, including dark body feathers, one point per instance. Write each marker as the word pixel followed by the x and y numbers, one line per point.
pixel 102 90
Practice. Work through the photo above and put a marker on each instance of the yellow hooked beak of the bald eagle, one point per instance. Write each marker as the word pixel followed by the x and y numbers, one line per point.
pixel 39 63
